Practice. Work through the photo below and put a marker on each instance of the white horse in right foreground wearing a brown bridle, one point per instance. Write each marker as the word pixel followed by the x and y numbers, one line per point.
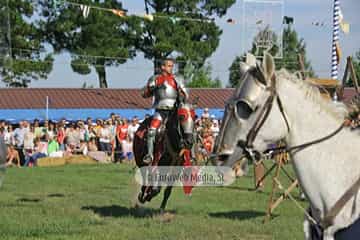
pixel 266 108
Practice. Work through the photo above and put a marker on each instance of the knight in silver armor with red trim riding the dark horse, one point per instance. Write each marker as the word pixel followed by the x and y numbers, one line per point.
pixel 168 90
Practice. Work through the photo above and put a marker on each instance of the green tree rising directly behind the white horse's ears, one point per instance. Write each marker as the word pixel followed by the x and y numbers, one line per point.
pixel 292 47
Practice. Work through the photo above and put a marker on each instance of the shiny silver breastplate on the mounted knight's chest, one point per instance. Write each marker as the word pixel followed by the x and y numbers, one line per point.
pixel 165 96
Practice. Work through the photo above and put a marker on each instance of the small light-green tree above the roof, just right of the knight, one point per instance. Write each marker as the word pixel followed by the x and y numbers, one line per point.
pixel 200 77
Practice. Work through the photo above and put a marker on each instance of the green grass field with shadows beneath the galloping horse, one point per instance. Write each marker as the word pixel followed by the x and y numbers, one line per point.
pixel 96 202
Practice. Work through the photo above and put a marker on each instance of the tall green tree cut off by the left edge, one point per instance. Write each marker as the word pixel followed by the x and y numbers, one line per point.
pixel 23 58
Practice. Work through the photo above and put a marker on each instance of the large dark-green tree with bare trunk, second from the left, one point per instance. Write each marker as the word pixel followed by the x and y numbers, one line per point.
pixel 100 40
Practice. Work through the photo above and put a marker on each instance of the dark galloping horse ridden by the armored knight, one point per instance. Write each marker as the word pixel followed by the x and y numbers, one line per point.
pixel 169 146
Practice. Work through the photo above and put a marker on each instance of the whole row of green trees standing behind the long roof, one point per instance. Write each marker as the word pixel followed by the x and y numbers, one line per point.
pixel 34 32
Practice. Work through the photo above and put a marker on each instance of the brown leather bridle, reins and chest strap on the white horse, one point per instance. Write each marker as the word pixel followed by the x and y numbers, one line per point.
pixel 247 147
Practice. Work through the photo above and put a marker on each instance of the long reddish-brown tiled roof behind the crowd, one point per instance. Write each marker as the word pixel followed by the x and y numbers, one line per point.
pixel 62 98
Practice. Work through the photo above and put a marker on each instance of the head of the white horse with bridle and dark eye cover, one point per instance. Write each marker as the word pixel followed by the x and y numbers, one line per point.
pixel 253 115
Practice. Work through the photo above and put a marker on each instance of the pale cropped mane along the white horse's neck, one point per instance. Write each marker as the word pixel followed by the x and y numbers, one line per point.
pixel 311 92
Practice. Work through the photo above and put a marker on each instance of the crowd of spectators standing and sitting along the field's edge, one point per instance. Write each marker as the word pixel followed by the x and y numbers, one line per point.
pixel 109 140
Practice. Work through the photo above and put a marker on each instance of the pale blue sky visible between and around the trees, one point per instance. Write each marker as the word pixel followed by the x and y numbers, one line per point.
pixel 135 73
